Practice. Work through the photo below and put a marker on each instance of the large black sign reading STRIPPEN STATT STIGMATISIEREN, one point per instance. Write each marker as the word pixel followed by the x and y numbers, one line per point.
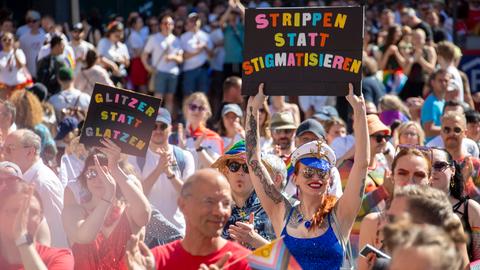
pixel 303 51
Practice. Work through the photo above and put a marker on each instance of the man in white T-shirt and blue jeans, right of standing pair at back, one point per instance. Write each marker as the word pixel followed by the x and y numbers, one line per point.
pixel 197 47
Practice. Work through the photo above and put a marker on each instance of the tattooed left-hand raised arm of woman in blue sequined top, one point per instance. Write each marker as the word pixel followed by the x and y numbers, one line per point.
pixel 274 203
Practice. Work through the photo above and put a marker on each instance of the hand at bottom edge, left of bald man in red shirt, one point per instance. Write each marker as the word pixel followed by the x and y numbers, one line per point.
pixel 138 255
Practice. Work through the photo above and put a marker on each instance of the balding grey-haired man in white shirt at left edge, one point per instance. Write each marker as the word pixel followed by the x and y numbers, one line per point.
pixel 22 147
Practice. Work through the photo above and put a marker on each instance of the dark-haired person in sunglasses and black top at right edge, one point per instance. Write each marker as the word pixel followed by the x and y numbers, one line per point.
pixel 447 177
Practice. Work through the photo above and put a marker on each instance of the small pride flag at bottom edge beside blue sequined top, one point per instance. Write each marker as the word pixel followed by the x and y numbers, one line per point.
pixel 273 256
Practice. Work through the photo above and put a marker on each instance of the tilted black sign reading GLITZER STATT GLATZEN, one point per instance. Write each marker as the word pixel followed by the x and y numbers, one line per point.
pixel 125 117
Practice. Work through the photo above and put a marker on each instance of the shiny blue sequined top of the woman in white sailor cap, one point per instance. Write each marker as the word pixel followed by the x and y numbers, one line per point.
pixel 322 252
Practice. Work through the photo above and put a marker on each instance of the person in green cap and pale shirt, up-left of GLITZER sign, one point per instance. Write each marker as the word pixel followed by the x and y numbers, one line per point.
pixel 69 96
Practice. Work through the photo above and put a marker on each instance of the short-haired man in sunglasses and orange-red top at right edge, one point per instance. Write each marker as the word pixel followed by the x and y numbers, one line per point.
pixel 454 127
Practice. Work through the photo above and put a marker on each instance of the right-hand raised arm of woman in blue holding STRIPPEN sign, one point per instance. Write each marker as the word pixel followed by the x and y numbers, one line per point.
pixel 349 204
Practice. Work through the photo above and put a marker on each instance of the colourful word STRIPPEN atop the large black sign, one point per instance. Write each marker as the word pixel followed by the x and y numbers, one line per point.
pixel 301 19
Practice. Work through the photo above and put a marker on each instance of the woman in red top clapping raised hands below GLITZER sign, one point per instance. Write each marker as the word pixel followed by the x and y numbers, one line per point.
pixel 98 229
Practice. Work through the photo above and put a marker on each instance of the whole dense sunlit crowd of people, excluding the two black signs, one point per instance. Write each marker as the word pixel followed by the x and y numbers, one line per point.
pixel 396 168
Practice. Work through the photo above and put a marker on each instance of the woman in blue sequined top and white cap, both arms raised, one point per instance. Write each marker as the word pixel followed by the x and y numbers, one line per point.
pixel 311 229
